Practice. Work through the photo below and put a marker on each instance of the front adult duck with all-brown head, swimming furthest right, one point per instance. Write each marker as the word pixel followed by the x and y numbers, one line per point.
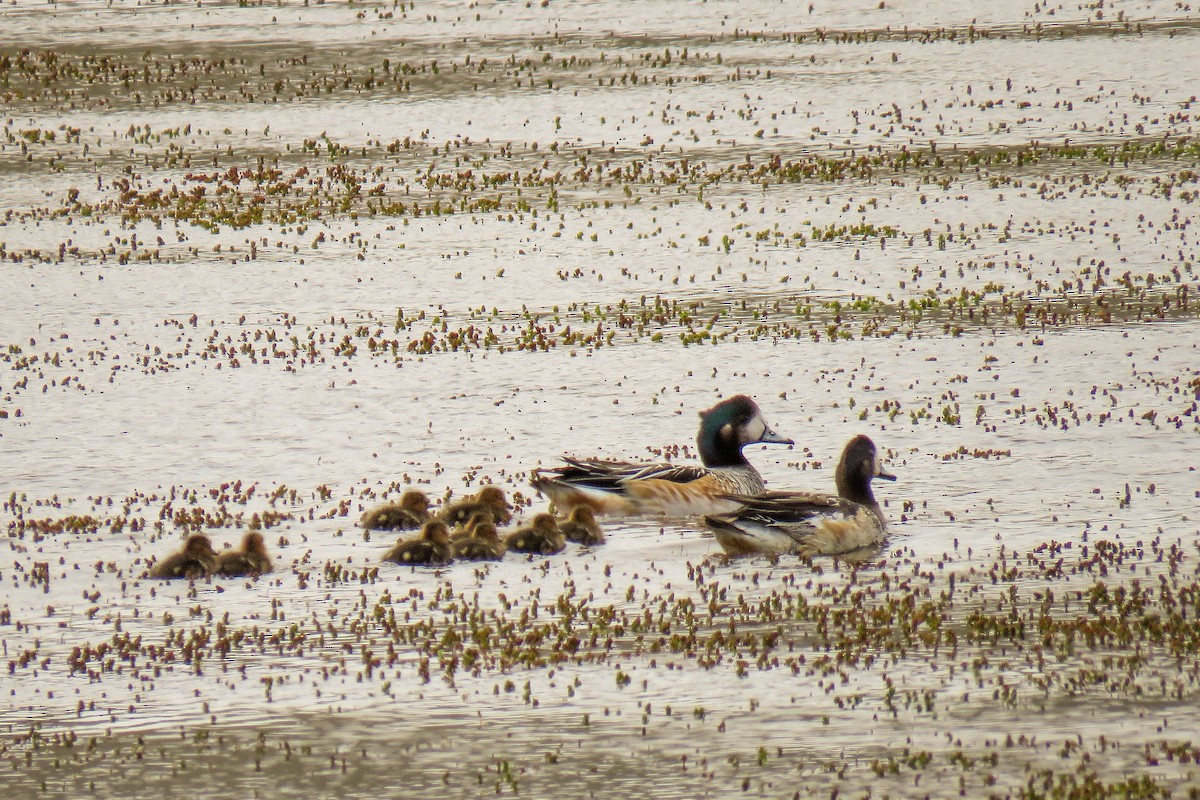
pixel 809 524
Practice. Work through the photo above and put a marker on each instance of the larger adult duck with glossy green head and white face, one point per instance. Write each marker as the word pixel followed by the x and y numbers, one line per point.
pixel 626 489
